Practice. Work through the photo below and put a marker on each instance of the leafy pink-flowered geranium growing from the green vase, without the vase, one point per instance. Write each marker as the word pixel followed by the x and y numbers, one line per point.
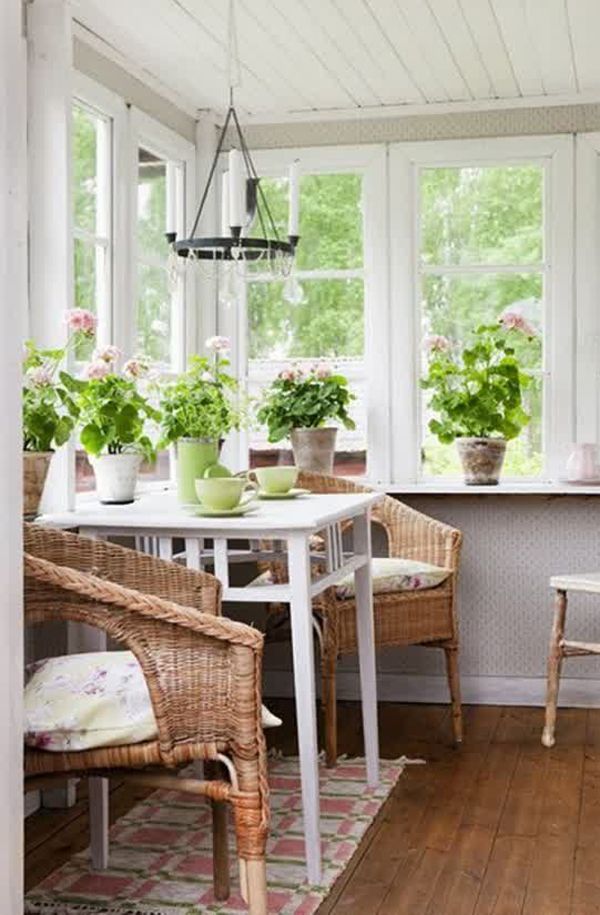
pixel 200 403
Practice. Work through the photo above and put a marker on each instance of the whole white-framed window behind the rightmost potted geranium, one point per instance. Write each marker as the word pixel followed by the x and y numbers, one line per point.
pixel 478 227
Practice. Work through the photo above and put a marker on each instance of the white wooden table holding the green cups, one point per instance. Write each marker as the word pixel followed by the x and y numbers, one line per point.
pixel 157 518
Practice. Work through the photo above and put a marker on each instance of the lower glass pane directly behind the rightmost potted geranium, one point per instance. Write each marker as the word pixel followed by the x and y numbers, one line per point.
pixel 454 306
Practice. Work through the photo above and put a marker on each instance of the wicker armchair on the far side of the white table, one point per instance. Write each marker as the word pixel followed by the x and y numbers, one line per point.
pixel 426 617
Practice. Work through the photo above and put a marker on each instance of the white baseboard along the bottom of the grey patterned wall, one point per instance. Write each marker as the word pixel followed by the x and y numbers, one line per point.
pixel 574 692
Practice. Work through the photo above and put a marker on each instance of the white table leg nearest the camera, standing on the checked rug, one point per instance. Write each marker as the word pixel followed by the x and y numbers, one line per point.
pixel 304 688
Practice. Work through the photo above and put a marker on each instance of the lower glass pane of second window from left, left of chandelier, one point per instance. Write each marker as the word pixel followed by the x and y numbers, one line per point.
pixel 153 318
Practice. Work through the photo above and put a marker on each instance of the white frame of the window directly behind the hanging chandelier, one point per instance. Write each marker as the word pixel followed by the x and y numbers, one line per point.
pixel 370 162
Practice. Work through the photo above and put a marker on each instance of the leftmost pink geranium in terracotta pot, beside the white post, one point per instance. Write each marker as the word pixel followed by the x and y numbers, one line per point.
pixel 49 411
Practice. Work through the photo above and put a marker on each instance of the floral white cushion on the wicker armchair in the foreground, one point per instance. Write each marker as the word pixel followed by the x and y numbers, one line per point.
pixel 98 699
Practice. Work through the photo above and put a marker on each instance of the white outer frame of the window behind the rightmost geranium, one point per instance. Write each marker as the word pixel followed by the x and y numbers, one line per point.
pixel 556 154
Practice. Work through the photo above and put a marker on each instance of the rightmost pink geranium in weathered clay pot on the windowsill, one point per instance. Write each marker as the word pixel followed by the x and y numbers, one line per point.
pixel 477 395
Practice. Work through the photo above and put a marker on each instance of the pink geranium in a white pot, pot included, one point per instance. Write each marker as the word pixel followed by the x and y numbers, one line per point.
pixel 113 418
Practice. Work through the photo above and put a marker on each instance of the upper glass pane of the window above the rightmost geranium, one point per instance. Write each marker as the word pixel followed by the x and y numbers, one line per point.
pixel 474 215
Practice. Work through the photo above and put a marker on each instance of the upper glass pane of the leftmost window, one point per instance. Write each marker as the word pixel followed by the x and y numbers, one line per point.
pixel 84 157
